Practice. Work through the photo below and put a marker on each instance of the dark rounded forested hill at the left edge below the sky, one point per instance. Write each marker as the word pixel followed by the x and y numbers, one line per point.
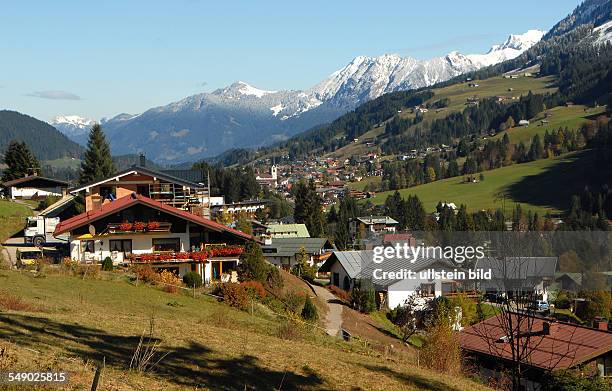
pixel 46 142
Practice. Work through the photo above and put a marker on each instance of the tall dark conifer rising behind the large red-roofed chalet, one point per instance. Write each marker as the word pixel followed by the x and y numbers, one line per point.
pixel 98 162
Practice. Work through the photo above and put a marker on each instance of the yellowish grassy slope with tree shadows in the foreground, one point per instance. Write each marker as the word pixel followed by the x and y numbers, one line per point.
pixel 211 345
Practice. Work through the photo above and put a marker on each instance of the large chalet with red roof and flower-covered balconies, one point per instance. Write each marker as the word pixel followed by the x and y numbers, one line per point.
pixel 135 229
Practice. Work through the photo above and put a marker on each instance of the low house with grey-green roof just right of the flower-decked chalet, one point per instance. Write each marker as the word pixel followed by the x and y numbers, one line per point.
pixel 284 252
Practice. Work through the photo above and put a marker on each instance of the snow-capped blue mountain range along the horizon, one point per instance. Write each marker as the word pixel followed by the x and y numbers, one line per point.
pixel 242 116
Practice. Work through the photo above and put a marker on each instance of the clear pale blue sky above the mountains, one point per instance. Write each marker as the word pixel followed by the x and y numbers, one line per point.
pixel 99 59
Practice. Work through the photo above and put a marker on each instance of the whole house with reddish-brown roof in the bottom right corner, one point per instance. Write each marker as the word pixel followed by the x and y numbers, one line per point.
pixel 552 346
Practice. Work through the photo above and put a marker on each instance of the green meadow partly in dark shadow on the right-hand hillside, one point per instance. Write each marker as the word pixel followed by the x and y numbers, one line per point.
pixel 543 186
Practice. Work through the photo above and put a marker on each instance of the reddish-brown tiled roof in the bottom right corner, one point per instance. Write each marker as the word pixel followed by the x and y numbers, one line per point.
pixel 565 346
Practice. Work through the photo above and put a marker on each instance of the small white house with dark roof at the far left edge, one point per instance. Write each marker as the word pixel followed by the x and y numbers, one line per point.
pixel 34 187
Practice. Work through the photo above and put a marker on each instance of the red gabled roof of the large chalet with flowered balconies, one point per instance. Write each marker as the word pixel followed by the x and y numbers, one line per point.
pixel 133 199
